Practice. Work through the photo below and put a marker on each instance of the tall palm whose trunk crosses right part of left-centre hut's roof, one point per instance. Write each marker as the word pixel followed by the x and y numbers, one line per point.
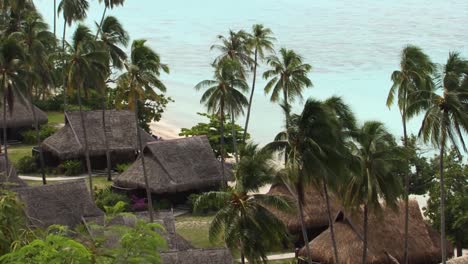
pixel 112 36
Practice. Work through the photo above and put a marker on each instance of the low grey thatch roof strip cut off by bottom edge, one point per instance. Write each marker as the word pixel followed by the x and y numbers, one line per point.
pixel 198 256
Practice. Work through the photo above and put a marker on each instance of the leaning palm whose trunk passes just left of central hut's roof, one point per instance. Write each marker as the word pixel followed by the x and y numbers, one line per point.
pixel 142 77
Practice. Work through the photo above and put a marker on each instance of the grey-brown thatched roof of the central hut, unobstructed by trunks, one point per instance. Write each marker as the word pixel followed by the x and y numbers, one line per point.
pixel 174 166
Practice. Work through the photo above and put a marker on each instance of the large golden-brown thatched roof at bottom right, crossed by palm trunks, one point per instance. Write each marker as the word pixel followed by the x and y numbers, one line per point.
pixel 385 238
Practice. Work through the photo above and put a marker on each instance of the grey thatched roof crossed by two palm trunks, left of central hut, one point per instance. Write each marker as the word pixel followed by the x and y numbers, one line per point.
pixel 68 142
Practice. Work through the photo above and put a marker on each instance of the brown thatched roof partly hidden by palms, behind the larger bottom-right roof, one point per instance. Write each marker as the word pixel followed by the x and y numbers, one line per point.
pixel 315 209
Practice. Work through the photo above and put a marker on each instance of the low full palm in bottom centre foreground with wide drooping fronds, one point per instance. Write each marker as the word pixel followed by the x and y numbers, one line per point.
pixel 243 217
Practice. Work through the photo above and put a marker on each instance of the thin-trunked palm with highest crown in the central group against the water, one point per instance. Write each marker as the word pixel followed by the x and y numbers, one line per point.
pixel 260 41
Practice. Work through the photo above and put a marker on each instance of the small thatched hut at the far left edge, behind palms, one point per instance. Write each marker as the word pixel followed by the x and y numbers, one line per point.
pixel 21 118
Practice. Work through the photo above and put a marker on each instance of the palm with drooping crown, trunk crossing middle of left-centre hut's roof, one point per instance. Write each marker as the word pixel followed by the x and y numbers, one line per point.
pixel 87 64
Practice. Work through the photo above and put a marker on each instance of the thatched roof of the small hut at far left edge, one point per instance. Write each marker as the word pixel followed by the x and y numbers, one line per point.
pixel 22 116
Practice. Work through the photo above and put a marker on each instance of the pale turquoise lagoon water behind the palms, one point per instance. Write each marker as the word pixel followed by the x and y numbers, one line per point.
pixel 353 46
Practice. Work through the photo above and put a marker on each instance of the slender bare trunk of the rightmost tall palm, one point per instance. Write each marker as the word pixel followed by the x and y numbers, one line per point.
pixel 442 188
